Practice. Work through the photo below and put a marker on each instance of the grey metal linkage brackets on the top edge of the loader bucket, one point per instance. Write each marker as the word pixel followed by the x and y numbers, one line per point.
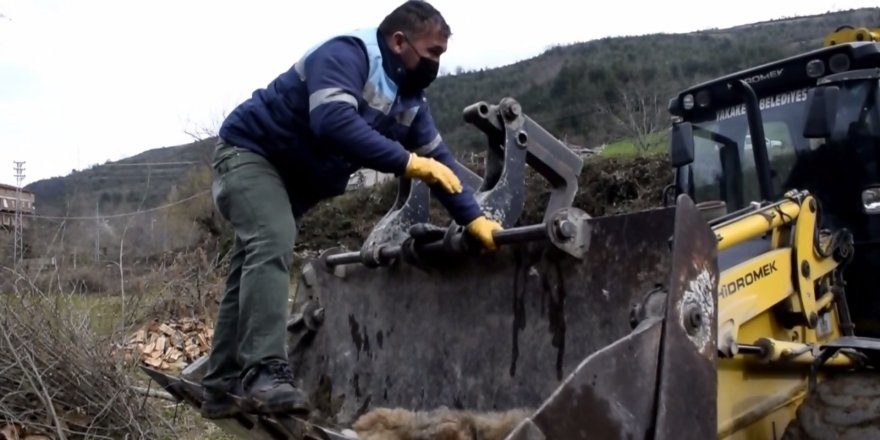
pixel 514 141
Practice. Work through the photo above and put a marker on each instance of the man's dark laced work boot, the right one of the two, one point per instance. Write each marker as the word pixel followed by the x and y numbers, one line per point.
pixel 268 388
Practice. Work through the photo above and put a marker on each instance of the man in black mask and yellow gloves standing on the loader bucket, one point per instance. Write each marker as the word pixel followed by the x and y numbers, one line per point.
pixel 353 101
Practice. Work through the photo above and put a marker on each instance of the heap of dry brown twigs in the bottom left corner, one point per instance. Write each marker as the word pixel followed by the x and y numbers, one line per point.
pixel 59 379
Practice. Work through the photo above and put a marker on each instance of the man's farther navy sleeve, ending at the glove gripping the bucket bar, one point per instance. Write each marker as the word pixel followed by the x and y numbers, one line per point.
pixel 424 139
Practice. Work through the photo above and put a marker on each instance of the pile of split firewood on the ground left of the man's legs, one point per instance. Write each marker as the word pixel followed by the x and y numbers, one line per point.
pixel 170 345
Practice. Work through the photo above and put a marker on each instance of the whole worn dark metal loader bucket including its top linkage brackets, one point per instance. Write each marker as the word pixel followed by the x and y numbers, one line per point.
pixel 599 327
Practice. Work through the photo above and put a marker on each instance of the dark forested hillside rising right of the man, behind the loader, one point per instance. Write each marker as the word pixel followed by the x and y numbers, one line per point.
pixel 584 92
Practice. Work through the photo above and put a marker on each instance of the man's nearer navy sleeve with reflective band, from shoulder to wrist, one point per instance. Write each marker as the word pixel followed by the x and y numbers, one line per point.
pixel 335 76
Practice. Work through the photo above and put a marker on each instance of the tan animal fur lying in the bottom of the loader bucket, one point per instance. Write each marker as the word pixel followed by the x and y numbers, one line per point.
pixel 438 424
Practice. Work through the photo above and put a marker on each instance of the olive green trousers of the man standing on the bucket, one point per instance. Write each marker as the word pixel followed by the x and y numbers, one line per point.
pixel 251 326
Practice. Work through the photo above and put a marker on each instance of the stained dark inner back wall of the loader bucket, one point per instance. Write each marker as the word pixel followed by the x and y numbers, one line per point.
pixel 478 332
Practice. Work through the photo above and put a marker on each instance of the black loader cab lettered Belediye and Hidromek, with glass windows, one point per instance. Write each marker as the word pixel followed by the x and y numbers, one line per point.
pixel 809 122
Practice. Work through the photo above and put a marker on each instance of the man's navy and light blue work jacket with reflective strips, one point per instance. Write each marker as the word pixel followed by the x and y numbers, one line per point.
pixel 336 110
